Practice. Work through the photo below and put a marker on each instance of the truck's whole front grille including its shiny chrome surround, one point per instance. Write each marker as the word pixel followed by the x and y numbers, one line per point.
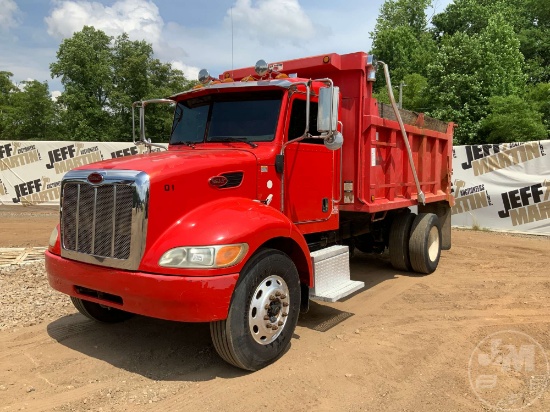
pixel 105 224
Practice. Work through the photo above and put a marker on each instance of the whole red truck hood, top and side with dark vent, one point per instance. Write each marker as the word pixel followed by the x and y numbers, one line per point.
pixel 180 181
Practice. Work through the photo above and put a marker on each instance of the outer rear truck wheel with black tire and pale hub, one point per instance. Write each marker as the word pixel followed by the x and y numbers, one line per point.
pixel 425 243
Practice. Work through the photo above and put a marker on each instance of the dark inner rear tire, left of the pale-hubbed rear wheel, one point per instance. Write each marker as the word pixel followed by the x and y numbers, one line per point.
pixel 399 241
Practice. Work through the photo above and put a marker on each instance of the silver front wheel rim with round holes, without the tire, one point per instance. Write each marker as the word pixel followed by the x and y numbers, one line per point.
pixel 268 311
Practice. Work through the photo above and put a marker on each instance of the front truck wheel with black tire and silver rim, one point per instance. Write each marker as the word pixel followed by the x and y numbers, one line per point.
pixel 263 312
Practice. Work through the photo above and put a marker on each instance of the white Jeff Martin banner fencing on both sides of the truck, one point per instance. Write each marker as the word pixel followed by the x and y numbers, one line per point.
pixel 504 187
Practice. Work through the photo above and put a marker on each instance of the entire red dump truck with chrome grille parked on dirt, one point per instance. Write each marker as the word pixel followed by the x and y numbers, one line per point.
pixel 274 174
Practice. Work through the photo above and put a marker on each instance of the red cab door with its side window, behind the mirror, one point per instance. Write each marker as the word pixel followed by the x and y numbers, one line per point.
pixel 310 175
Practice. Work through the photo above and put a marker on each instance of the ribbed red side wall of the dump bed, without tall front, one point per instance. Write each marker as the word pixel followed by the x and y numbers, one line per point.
pixel 383 173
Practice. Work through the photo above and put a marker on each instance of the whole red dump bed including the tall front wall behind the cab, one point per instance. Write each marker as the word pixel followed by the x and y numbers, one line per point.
pixel 377 174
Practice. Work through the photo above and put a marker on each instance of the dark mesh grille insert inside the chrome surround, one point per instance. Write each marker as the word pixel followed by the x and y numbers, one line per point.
pixel 97 220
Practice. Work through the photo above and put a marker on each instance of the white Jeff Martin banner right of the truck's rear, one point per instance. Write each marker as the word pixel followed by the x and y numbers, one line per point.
pixel 504 187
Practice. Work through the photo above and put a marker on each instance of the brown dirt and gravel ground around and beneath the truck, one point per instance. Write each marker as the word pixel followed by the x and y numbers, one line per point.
pixel 404 343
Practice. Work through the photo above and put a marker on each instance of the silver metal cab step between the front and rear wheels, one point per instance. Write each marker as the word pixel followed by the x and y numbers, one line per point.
pixel 332 274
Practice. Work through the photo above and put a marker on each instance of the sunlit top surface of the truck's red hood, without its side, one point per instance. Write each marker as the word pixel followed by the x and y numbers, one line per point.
pixel 169 163
